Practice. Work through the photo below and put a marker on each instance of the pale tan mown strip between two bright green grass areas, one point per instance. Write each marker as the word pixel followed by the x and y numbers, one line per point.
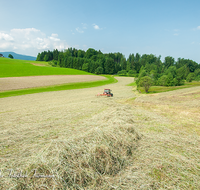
pixel 14 83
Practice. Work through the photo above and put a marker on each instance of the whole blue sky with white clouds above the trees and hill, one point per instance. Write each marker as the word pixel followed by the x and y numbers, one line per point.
pixel 159 27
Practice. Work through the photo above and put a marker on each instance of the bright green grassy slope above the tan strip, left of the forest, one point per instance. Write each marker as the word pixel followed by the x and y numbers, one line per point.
pixel 18 68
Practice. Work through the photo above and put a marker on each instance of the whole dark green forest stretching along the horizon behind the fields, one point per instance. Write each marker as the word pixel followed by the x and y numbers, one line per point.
pixel 166 73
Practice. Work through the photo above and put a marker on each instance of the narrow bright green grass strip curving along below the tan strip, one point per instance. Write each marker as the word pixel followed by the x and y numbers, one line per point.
pixel 70 86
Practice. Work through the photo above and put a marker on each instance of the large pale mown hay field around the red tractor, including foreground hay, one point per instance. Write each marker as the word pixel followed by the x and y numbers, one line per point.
pixel 75 140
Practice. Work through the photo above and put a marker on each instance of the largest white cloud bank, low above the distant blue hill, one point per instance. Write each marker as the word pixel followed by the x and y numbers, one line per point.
pixel 30 41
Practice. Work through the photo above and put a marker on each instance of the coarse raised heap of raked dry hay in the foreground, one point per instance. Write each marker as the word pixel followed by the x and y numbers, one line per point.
pixel 86 162
